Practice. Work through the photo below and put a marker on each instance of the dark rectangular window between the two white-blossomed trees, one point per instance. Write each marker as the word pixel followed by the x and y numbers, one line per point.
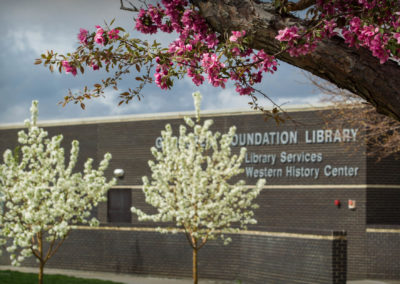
pixel 119 205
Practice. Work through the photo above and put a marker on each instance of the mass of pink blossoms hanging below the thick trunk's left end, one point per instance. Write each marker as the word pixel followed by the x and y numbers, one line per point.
pixel 196 49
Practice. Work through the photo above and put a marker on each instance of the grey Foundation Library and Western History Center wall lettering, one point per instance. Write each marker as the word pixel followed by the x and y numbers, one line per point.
pixel 262 161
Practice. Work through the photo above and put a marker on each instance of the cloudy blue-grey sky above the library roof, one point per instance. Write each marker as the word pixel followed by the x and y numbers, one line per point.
pixel 29 28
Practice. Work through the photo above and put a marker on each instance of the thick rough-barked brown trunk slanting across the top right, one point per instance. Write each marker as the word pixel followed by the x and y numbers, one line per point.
pixel 353 69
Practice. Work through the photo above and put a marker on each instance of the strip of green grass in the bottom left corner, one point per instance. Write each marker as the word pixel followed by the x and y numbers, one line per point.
pixel 14 277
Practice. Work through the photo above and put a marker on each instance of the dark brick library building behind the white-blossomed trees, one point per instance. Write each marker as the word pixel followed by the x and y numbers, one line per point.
pixel 328 213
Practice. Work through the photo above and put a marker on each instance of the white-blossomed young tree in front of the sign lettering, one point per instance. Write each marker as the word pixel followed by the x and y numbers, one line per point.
pixel 191 184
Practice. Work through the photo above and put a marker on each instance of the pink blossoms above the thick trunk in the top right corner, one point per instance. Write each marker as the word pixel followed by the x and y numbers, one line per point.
pixel 370 24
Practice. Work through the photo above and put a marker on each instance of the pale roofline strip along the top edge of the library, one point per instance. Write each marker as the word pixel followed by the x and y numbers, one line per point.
pixel 160 116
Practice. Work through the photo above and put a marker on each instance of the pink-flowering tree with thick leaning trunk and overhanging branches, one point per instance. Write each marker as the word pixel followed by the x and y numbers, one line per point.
pixel 354 44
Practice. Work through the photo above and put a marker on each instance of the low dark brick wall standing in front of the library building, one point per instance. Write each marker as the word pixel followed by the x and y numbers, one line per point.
pixel 302 257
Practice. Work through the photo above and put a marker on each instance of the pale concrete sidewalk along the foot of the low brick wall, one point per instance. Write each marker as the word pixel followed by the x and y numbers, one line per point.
pixel 137 279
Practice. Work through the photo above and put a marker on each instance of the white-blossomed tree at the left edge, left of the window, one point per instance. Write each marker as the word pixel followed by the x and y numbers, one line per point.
pixel 42 197
